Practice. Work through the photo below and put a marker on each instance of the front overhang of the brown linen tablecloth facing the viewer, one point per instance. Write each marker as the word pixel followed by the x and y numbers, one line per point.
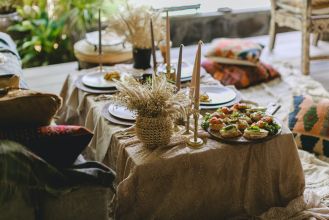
pixel 215 182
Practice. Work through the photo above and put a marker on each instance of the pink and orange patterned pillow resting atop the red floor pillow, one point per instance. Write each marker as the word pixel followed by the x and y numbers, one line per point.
pixel 236 49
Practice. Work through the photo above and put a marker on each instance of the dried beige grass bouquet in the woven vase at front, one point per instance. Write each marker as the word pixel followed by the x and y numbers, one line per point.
pixel 157 100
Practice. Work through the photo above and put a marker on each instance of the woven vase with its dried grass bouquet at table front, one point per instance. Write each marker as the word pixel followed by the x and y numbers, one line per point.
pixel 157 105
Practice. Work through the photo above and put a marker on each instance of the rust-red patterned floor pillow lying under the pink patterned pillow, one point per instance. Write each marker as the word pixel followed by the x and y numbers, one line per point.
pixel 239 75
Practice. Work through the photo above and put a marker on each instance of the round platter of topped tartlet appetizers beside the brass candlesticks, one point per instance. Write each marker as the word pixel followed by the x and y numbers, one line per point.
pixel 241 124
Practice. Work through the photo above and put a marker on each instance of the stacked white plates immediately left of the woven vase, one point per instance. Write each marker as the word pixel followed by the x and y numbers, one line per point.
pixel 119 114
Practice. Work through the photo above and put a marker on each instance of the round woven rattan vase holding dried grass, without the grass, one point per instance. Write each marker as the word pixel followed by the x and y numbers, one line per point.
pixel 154 132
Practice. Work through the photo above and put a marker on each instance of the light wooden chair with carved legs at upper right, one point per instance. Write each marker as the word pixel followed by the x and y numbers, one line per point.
pixel 308 16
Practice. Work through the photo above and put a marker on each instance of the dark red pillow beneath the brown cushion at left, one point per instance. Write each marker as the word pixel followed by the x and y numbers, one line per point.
pixel 59 145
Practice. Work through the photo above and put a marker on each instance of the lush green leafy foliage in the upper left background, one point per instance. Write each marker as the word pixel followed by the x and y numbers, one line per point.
pixel 47 36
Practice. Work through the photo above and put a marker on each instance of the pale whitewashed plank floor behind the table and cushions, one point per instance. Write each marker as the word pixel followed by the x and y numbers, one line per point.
pixel 288 48
